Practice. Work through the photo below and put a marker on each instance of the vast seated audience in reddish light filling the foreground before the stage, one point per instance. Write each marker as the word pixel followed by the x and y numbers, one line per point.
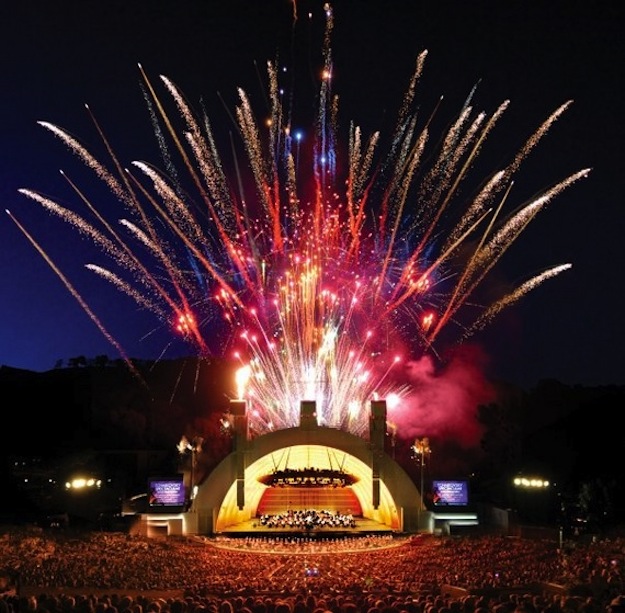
pixel 101 572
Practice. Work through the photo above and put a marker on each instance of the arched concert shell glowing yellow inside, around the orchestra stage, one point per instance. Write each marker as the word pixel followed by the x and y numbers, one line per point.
pixel 231 494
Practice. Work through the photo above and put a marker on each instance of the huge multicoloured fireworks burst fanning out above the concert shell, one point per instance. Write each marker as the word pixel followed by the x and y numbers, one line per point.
pixel 319 277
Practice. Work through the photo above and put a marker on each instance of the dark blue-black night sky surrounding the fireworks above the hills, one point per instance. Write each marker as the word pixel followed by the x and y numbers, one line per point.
pixel 58 56
